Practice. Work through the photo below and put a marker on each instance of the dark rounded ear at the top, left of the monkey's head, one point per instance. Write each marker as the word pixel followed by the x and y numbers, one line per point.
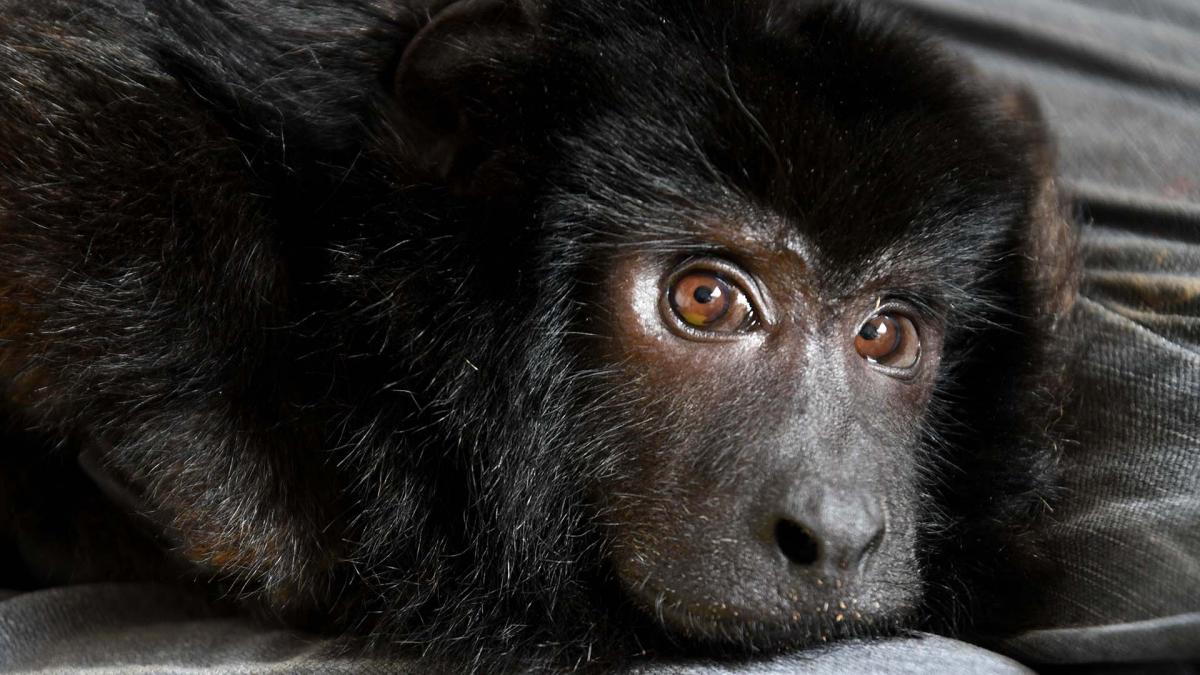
pixel 452 77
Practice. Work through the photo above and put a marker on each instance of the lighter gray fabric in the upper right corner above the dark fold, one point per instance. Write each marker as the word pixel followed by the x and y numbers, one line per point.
pixel 1120 86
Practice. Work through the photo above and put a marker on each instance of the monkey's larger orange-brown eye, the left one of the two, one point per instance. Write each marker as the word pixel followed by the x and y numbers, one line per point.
pixel 709 302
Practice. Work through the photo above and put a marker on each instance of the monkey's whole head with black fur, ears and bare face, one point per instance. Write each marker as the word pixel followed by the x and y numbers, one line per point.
pixel 807 264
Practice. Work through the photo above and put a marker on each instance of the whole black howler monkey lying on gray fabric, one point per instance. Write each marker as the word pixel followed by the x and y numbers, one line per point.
pixel 526 330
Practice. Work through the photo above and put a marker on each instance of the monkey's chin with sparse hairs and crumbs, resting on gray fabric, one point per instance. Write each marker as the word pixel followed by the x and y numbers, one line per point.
pixel 724 629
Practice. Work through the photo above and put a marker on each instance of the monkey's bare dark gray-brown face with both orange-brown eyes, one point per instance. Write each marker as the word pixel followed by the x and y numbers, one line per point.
pixel 776 480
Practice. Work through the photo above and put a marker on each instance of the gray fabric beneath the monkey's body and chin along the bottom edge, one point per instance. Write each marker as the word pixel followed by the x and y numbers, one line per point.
pixel 147 629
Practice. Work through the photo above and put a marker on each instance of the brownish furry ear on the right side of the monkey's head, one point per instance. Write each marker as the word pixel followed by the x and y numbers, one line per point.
pixel 1051 243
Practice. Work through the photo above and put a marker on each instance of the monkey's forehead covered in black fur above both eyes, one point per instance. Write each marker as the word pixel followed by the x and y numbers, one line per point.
pixel 819 129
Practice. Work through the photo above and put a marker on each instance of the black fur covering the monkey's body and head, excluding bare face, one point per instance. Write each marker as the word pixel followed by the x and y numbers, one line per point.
pixel 367 390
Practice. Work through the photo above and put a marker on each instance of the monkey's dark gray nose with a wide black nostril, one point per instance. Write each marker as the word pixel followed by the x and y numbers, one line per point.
pixel 832 529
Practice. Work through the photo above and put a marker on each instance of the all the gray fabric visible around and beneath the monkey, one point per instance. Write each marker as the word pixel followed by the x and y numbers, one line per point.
pixel 1120 83
